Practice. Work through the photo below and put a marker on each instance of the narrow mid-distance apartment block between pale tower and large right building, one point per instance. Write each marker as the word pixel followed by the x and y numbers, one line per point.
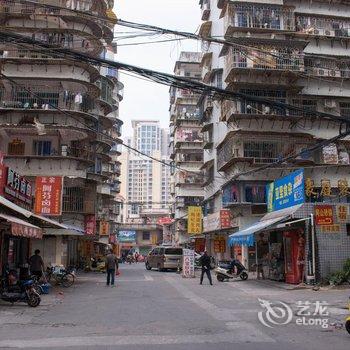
pixel 186 145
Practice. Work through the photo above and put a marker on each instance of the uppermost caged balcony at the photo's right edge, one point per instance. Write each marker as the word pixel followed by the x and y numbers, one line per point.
pixel 322 26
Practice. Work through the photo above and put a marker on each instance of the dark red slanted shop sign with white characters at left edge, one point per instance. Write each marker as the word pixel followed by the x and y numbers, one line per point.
pixel 15 187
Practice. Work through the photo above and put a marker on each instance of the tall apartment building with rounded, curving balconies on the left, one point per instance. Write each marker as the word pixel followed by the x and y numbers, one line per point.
pixel 59 117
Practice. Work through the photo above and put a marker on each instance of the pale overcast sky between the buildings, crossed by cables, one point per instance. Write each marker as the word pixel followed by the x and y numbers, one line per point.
pixel 142 99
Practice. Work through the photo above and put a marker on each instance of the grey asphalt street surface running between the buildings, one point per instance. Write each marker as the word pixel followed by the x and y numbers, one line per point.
pixel 159 310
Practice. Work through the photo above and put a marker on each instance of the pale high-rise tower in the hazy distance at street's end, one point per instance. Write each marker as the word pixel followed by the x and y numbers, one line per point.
pixel 145 182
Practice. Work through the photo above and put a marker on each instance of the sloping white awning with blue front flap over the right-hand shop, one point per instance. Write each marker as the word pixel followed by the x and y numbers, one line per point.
pixel 246 236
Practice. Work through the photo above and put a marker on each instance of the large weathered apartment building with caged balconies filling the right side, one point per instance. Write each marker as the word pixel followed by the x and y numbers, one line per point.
pixel 294 52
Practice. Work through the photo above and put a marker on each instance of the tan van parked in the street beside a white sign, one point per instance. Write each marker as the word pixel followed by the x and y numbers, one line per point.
pixel 164 258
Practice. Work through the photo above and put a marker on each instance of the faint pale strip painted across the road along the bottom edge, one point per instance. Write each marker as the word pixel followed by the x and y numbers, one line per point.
pixel 69 342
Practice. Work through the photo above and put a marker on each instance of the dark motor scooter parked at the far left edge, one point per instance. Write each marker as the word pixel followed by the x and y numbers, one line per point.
pixel 12 290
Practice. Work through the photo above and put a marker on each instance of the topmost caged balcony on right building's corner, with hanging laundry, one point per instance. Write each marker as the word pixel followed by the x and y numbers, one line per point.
pixel 260 18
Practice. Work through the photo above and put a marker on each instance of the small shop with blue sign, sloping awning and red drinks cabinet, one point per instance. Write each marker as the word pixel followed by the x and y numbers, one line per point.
pixel 278 240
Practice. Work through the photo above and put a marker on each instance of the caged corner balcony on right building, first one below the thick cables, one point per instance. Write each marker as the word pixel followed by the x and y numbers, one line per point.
pixel 260 150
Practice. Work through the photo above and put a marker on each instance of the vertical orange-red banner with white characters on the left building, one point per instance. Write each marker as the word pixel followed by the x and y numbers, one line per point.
pixel 48 195
